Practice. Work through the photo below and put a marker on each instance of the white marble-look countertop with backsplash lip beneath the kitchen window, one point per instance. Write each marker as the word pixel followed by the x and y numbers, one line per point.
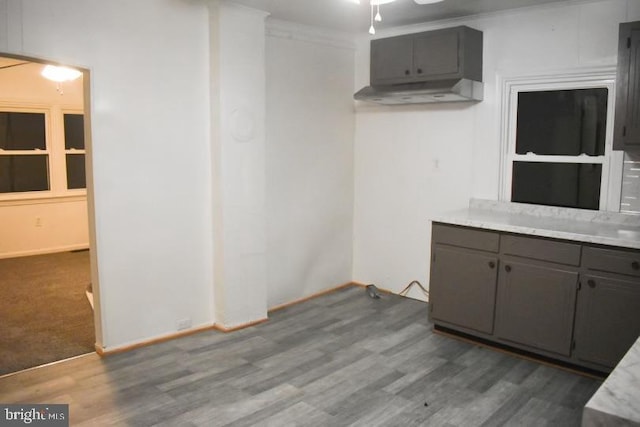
pixel 606 228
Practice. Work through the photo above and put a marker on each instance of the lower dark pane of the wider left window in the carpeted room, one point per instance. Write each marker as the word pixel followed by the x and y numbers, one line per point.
pixel 24 173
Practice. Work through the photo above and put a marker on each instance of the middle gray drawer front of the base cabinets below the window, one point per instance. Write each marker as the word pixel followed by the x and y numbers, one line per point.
pixel 541 249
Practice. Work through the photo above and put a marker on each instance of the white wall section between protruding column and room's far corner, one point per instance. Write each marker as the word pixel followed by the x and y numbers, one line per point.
pixel 310 129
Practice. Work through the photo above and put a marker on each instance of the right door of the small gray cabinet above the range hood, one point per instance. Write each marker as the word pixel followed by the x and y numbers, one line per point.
pixel 436 54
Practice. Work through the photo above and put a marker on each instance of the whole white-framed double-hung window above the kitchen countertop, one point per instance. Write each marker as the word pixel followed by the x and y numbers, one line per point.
pixel 557 143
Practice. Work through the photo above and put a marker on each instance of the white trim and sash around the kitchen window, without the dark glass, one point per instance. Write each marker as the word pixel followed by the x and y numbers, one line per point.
pixel 612 161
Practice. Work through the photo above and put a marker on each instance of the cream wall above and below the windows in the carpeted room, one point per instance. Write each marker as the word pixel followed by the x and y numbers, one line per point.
pixel 44 225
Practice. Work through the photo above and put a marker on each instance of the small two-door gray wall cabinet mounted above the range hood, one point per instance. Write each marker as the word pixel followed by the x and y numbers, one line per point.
pixel 450 53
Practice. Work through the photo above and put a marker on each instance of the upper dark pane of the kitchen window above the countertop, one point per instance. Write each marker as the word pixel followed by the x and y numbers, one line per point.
pixel 562 122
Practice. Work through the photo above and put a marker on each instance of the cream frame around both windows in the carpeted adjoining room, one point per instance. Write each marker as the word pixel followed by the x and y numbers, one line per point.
pixel 55 150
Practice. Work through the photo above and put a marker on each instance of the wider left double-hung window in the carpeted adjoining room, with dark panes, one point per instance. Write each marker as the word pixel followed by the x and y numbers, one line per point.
pixel 24 160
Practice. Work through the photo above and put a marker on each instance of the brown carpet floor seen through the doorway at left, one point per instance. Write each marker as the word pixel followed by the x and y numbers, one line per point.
pixel 44 313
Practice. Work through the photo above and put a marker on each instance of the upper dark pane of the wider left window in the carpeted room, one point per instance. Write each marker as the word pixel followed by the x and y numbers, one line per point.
pixel 22 131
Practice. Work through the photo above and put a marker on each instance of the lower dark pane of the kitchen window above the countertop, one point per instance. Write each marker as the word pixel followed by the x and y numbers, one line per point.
pixel 573 185
